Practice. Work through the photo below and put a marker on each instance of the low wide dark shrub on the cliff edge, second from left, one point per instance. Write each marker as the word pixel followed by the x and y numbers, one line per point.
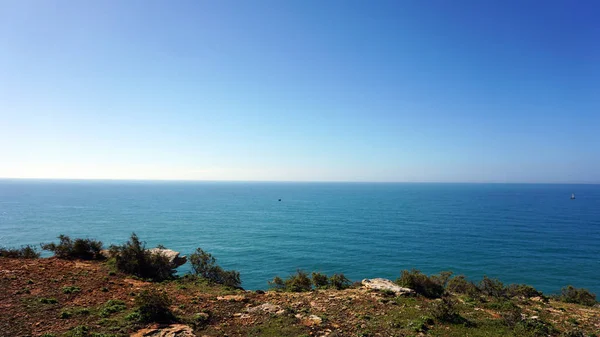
pixel 85 249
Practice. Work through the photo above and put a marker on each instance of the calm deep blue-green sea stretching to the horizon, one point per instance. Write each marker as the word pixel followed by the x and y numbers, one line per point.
pixel 525 233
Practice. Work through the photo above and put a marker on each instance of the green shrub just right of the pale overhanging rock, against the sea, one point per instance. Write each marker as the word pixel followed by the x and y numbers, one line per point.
pixel 204 265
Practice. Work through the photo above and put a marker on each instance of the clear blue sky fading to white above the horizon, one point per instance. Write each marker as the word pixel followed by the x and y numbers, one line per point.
pixel 449 91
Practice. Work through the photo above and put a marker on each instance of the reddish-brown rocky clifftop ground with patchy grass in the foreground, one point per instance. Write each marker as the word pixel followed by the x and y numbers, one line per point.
pixel 74 298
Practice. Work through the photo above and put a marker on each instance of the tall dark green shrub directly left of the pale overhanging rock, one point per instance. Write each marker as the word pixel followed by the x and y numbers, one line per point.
pixel 133 258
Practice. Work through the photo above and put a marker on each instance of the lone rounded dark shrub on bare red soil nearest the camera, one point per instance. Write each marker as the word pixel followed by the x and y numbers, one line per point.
pixel 153 306
